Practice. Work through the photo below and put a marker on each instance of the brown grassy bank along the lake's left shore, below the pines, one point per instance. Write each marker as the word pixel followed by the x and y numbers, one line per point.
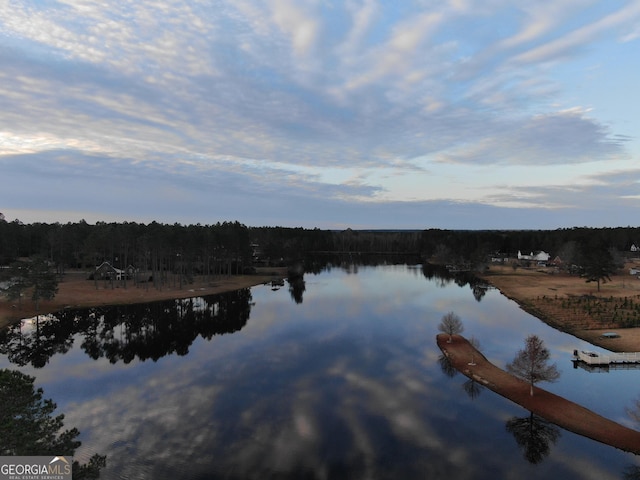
pixel 75 291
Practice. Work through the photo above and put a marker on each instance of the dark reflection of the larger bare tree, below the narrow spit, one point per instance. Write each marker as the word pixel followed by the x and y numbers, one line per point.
pixel 534 435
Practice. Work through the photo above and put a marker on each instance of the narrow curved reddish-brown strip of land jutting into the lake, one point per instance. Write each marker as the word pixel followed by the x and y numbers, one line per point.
pixel 558 410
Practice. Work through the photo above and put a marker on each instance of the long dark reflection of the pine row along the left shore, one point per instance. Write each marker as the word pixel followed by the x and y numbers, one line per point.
pixel 123 333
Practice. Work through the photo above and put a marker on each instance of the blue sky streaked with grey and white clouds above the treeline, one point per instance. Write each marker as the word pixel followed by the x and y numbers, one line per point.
pixel 457 114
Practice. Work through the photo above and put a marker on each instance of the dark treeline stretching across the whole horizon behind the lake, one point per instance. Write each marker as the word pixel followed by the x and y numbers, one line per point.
pixel 236 246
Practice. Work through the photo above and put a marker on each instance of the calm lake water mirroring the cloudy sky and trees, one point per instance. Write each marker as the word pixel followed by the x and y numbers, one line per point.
pixel 339 379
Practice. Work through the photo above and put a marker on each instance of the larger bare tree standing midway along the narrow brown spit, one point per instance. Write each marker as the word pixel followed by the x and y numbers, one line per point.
pixel 530 363
